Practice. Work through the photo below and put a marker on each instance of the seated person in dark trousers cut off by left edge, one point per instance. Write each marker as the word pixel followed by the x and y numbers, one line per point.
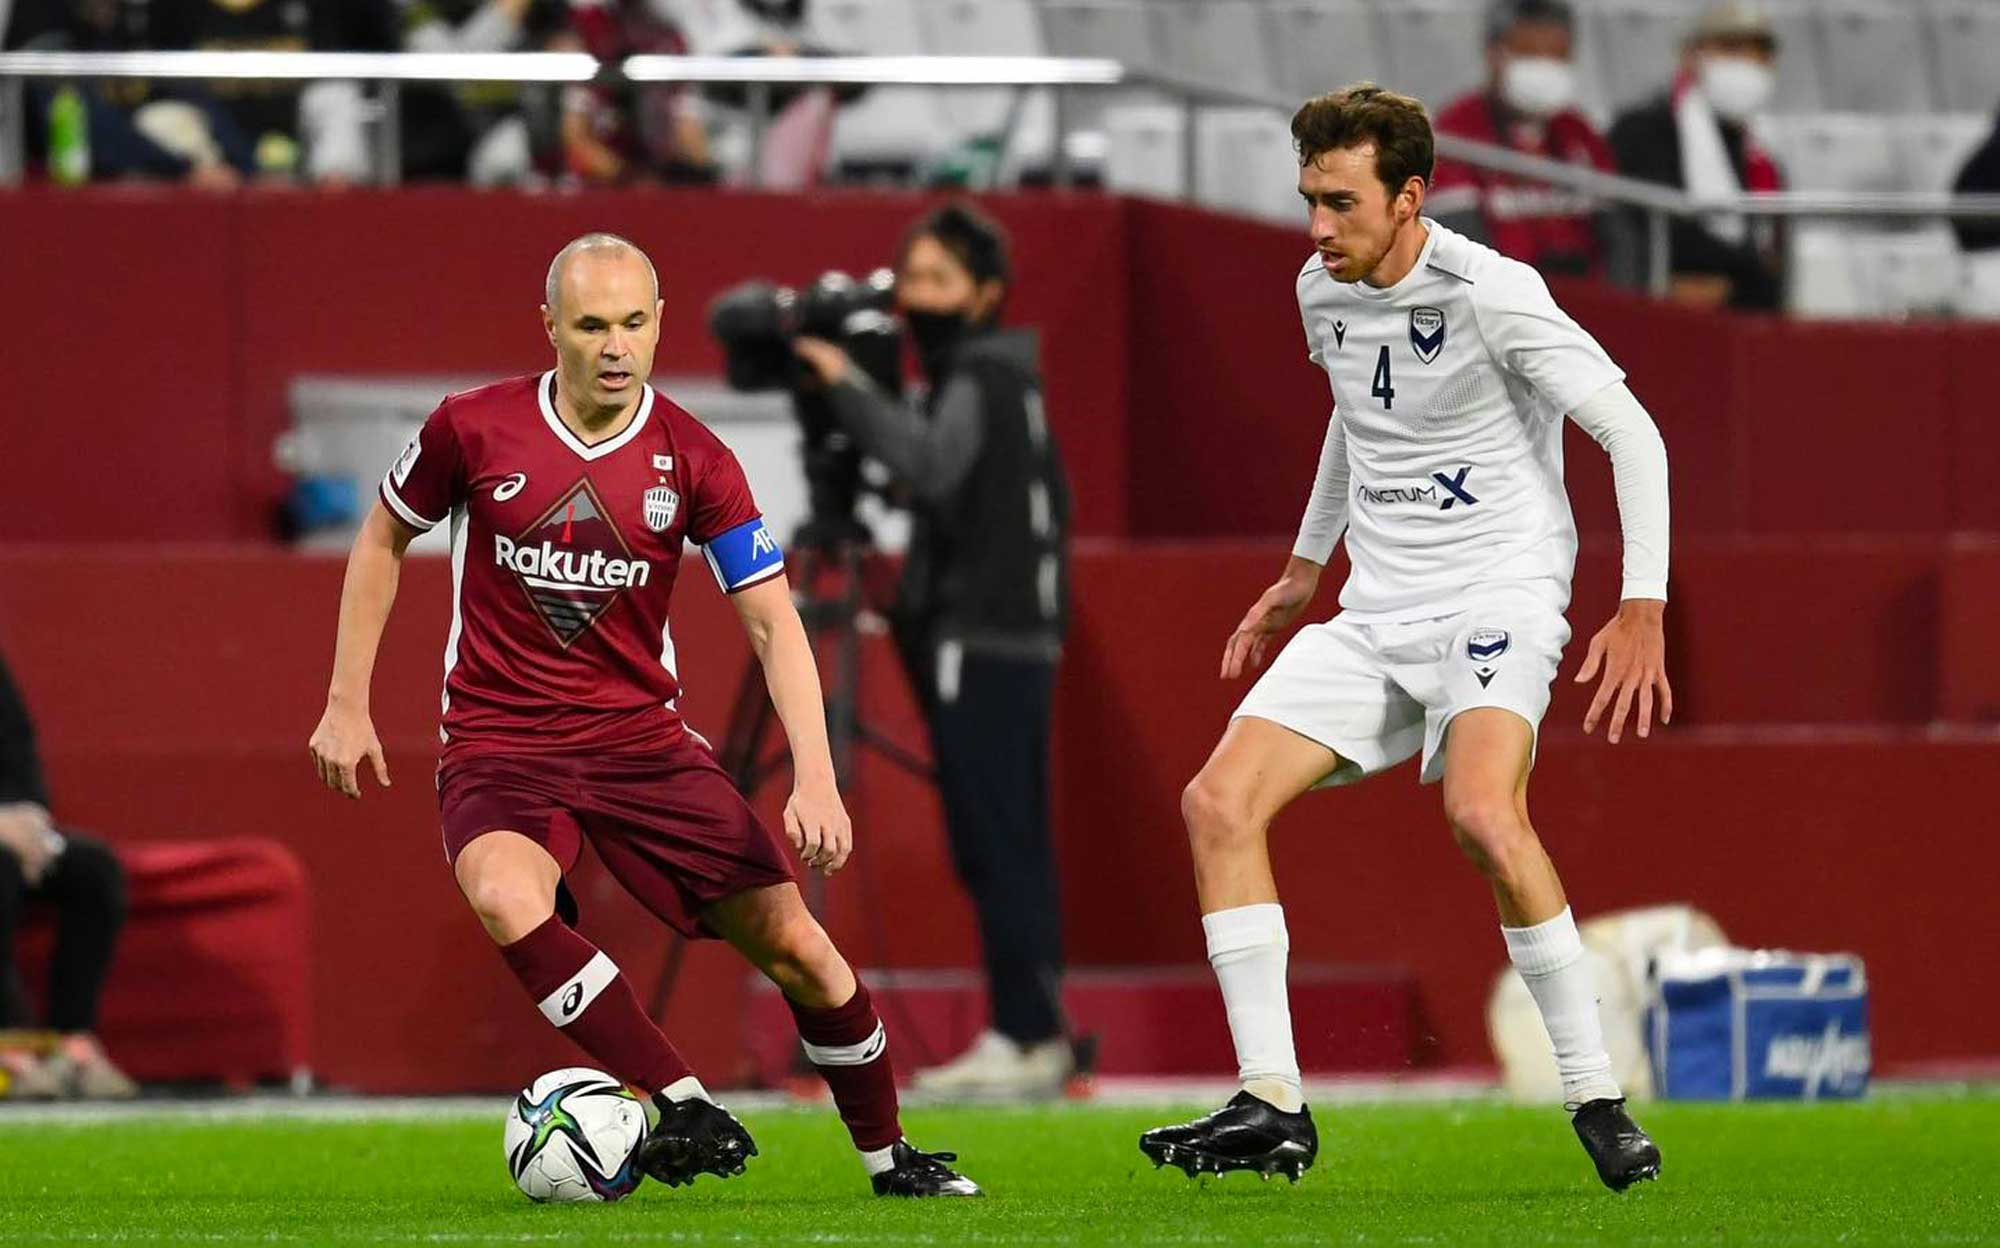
pixel 83 881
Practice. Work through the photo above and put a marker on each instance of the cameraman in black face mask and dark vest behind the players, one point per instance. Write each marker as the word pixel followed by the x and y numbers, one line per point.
pixel 979 617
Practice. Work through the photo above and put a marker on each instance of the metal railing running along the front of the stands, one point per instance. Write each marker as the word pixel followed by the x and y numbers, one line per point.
pixel 761 77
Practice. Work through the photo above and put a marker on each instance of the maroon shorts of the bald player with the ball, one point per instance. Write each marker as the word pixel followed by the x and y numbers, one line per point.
pixel 669 825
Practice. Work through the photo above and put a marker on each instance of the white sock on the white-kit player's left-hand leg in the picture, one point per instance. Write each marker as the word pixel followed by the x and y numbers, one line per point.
pixel 1249 951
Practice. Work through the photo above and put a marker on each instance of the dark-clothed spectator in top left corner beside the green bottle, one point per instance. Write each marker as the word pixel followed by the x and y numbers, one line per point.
pixel 133 129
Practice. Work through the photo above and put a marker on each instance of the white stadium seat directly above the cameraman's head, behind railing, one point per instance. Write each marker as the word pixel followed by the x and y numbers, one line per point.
pixel 995 29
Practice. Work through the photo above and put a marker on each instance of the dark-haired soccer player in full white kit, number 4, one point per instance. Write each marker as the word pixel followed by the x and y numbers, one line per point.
pixel 1453 371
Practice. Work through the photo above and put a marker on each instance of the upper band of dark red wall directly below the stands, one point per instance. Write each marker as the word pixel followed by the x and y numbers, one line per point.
pixel 165 327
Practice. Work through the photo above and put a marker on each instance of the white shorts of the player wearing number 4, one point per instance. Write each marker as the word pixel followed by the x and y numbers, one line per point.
pixel 1375 695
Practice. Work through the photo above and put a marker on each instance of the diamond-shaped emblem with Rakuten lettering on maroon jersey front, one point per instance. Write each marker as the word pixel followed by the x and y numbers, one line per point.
pixel 573 563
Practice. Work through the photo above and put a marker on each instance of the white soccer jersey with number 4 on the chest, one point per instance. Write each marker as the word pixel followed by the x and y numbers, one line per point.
pixel 1447 435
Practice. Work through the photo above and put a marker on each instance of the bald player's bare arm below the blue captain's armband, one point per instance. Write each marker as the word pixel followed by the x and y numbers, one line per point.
pixel 815 819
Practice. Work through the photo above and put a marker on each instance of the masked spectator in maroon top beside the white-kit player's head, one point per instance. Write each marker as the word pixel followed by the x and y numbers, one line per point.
pixel 1529 105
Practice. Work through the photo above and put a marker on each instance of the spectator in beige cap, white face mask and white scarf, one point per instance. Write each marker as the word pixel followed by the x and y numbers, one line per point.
pixel 1699 139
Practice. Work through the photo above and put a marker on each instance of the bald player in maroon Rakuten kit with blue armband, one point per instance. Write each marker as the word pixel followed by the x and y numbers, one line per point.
pixel 569 497
